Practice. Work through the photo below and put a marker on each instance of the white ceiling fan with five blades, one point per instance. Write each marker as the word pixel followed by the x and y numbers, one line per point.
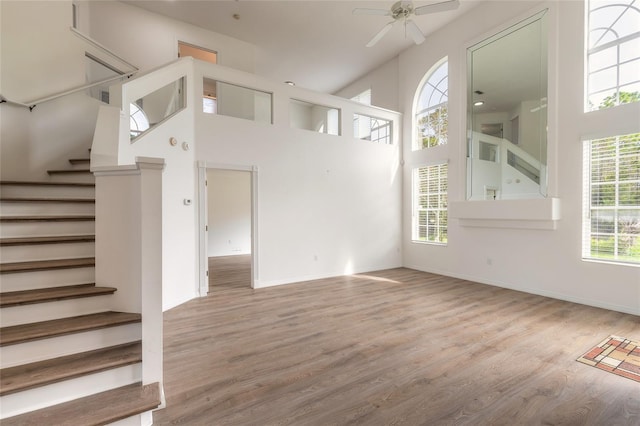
pixel 402 11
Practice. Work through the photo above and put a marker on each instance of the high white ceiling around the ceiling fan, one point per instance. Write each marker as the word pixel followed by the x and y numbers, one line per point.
pixel 318 44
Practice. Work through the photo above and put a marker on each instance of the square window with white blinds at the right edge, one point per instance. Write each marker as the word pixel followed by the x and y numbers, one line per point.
pixel 612 199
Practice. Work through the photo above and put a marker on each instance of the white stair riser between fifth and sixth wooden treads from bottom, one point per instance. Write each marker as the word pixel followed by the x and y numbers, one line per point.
pixel 27 253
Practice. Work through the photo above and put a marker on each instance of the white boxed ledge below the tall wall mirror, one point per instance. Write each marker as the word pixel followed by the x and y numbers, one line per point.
pixel 539 213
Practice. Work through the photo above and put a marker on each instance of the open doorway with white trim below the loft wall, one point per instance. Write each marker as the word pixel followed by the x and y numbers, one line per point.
pixel 228 215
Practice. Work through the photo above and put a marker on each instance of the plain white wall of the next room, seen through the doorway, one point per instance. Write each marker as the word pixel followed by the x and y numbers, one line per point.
pixel 229 212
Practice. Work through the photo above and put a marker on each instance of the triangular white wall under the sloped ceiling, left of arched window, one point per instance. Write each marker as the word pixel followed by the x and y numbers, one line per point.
pixel 383 82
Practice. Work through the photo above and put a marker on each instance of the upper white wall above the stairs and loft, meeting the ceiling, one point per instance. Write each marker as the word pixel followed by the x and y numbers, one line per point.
pixel 149 40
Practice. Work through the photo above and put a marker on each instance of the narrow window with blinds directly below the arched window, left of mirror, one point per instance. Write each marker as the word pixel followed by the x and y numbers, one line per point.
pixel 430 204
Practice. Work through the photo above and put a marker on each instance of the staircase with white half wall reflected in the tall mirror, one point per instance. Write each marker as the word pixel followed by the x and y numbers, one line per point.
pixel 499 169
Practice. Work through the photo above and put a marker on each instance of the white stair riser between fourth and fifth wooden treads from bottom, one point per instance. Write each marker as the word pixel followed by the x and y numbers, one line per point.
pixel 46 279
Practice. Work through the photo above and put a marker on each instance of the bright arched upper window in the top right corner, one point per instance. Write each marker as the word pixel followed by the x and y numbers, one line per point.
pixel 613 53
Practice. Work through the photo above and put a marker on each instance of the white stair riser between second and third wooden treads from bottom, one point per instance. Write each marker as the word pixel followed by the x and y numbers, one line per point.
pixel 39 350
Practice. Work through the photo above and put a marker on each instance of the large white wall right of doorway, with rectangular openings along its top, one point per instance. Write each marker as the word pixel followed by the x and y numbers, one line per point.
pixel 326 205
